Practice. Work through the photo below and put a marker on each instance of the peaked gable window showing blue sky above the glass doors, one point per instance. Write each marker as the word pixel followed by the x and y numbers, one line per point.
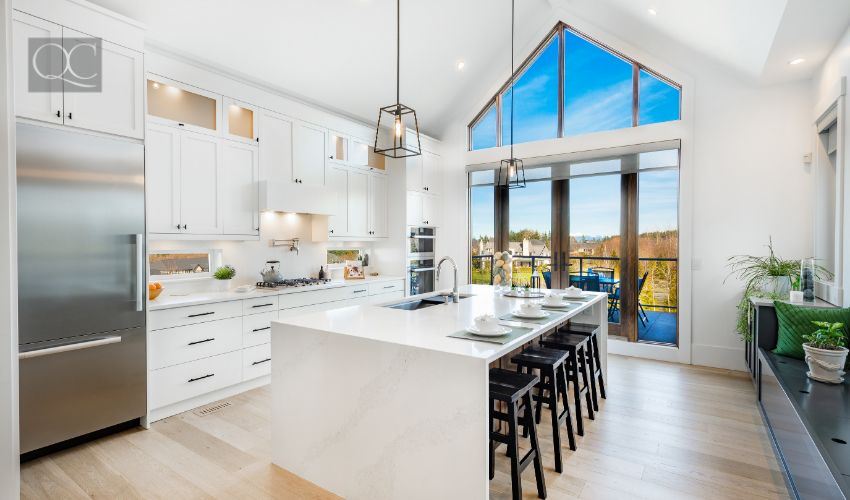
pixel 593 85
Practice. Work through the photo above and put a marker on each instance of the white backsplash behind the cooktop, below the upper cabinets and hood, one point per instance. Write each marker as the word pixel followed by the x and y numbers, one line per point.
pixel 249 257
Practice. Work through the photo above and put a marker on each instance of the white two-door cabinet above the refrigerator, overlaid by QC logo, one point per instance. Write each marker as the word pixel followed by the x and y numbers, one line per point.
pixel 117 108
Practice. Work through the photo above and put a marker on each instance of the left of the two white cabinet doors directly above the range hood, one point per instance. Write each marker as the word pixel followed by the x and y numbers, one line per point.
pixel 275 148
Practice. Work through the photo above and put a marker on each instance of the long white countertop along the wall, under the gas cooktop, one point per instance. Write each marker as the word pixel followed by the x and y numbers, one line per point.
pixel 168 301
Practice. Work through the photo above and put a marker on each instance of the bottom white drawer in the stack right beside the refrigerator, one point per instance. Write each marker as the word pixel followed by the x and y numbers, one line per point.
pixel 181 382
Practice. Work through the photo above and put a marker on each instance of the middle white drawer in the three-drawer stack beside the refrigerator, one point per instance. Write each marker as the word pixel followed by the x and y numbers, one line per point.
pixel 188 343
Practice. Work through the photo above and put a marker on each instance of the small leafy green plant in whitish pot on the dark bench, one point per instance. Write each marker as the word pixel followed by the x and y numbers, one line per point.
pixel 825 352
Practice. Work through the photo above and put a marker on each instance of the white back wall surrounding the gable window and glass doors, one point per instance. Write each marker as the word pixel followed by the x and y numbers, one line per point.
pixel 746 174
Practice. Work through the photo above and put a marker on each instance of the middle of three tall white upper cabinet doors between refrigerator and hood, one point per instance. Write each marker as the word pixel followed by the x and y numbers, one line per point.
pixel 200 186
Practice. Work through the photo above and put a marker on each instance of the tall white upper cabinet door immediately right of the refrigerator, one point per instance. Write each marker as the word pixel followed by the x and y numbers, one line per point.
pixel 162 179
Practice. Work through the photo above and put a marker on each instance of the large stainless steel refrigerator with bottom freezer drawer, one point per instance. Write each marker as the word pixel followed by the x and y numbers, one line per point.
pixel 82 287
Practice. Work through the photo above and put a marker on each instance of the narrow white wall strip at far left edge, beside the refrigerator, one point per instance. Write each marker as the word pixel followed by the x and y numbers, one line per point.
pixel 9 449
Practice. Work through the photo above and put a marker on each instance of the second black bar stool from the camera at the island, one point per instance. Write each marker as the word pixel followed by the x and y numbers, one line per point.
pixel 552 385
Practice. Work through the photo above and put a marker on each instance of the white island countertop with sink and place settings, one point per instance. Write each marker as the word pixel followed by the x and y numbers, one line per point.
pixel 429 328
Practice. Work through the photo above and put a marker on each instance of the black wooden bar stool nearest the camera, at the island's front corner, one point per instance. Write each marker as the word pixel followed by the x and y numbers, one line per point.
pixel 512 389
